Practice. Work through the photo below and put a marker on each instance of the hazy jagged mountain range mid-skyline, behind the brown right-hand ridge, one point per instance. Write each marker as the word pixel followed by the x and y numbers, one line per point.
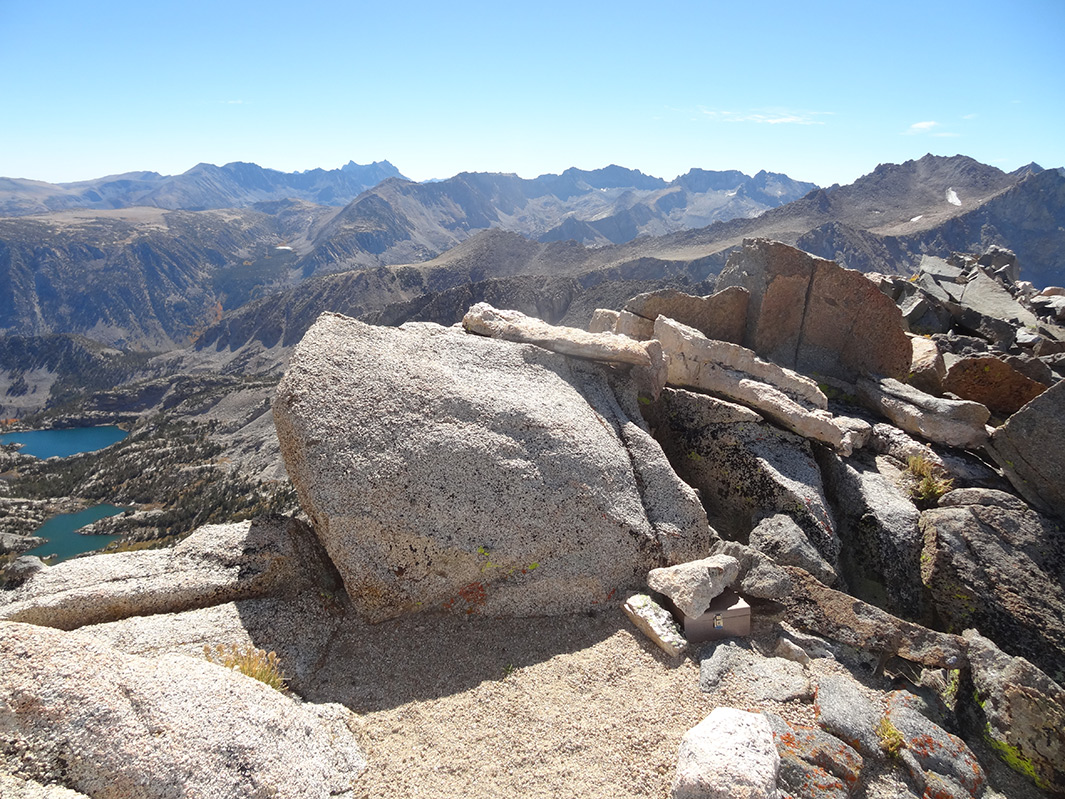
pixel 401 222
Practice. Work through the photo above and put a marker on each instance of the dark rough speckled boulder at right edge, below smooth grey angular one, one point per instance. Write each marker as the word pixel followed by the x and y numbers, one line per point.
pixel 992 563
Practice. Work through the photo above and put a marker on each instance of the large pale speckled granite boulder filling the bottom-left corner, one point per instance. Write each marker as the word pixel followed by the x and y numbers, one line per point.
pixel 175 726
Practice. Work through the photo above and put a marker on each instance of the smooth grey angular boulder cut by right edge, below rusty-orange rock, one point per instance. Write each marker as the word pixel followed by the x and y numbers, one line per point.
pixel 1030 449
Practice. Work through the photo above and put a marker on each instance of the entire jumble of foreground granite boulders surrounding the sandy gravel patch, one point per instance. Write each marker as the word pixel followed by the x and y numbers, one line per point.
pixel 898 541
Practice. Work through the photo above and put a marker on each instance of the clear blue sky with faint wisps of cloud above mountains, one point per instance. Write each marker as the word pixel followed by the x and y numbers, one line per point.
pixel 822 91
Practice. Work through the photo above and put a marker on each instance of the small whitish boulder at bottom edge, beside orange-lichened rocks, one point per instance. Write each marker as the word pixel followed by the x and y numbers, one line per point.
pixel 731 754
